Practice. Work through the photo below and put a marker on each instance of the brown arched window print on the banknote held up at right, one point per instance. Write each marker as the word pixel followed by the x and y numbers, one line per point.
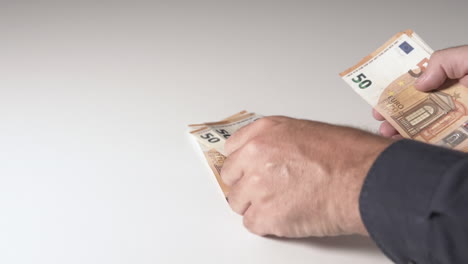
pixel 425 112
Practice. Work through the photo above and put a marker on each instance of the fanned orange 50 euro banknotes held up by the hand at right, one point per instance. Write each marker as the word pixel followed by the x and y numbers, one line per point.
pixel 386 80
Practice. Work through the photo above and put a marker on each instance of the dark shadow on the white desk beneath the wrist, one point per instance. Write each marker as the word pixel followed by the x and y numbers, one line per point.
pixel 342 243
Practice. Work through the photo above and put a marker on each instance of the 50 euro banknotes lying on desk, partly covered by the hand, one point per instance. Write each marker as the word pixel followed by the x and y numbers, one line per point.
pixel 212 136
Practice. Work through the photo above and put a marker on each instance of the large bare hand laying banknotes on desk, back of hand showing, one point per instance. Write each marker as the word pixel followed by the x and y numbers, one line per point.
pixel 299 178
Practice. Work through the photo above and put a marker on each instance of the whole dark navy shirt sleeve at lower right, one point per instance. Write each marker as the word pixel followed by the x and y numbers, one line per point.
pixel 414 203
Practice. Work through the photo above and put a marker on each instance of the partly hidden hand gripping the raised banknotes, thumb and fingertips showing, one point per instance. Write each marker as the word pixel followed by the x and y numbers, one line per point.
pixel 444 64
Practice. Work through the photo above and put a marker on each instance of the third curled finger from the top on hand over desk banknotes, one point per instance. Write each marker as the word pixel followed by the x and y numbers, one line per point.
pixel 239 197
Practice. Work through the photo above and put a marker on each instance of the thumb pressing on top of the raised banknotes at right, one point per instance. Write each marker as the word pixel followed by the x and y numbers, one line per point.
pixel 444 64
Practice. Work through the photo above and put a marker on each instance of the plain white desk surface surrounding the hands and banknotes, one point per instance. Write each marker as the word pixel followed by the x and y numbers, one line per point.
pixel 96 165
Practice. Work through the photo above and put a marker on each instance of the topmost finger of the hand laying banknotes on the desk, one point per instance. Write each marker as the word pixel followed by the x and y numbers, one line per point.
pixel 245 134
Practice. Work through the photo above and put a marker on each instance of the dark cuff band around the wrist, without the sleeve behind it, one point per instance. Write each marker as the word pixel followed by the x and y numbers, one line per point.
pixel 396 196
